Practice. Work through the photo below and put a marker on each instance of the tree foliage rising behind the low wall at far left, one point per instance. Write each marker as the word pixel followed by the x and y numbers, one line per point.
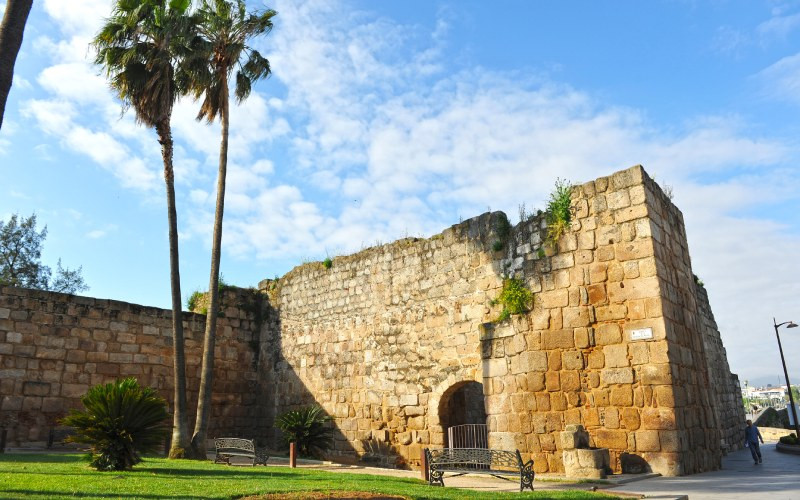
pixel 20 259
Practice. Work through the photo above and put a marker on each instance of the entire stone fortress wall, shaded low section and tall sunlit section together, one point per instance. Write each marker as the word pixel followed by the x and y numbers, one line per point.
pixel 398 342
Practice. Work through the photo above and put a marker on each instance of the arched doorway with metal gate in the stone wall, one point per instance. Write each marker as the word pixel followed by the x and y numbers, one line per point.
pixel 462 414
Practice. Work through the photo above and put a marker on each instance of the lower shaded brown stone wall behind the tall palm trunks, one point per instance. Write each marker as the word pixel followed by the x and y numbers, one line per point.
pixel 53 347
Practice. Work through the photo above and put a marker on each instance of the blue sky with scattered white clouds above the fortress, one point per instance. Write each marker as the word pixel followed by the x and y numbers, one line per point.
pixel 391 119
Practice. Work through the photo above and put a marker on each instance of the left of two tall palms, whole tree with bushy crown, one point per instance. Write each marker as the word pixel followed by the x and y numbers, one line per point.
pixel 141 47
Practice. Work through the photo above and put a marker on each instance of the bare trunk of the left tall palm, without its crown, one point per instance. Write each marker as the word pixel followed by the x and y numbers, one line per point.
pixel 180 421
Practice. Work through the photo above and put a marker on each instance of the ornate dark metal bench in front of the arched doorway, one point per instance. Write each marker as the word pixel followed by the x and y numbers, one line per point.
pixel 497 463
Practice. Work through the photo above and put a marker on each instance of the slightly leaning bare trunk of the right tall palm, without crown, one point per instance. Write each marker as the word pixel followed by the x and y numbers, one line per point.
pixel 207 373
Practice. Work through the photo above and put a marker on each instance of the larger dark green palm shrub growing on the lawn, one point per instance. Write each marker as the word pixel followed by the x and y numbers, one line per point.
pixel 121 421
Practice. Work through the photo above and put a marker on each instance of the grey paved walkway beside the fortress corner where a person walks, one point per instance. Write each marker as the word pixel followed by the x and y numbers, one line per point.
pixel 778 478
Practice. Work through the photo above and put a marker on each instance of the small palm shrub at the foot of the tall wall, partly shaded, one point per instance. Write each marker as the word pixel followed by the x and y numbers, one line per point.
pixel 307 427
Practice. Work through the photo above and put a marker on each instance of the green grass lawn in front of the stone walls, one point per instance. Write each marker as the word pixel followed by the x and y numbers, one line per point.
pixel 40 476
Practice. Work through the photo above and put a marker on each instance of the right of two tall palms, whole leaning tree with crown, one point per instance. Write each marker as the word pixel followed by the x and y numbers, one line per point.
pixel 227 28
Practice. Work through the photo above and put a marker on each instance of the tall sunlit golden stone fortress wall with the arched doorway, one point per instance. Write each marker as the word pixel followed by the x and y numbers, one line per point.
pixel 620 339
